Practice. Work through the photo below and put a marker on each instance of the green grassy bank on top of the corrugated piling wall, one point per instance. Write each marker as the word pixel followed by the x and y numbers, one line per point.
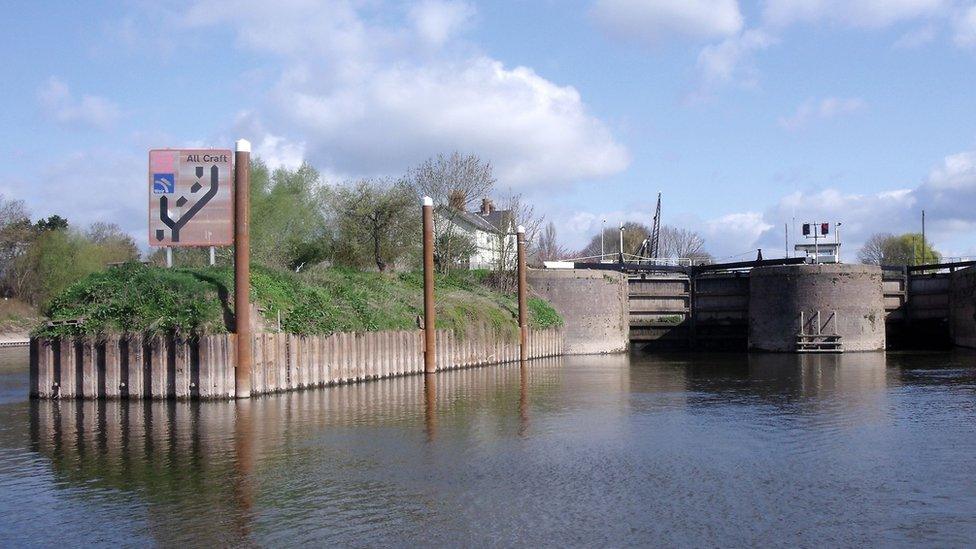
pixel 137 298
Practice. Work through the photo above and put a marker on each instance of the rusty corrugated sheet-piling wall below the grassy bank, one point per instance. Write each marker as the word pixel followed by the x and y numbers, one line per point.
pixel 173 368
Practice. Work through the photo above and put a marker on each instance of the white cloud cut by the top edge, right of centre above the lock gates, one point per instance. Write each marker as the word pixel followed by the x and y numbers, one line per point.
pixel 653 21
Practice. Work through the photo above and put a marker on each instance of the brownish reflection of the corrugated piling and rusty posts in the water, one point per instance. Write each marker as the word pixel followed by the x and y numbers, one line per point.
pixel 201 466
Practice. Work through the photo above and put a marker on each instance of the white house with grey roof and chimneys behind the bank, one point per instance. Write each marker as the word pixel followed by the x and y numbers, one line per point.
pixel 490 231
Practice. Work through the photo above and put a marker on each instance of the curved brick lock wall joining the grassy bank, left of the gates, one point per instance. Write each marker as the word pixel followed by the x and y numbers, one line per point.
pixel 593 304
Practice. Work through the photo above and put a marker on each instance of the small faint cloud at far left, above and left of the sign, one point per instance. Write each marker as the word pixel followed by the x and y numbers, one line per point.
pixel 58 104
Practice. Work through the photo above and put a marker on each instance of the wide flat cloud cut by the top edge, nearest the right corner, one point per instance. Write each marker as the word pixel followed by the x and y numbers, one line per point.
pixel 853 13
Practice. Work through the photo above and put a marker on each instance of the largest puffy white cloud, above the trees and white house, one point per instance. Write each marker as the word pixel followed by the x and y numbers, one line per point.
pixel 534 131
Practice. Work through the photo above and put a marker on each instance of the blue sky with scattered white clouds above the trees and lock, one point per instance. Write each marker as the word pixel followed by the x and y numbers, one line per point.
pixel 747 116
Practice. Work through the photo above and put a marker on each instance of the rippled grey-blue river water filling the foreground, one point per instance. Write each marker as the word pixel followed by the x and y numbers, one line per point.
pixel 674 449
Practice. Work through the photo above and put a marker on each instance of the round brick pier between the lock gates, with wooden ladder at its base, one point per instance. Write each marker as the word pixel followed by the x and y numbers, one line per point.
pixel 849 299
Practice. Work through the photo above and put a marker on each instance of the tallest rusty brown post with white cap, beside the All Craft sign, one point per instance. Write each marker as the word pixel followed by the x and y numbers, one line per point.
pixel 242 267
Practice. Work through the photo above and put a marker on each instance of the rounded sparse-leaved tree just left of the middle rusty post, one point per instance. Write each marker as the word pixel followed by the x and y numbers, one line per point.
pixel 378 220
